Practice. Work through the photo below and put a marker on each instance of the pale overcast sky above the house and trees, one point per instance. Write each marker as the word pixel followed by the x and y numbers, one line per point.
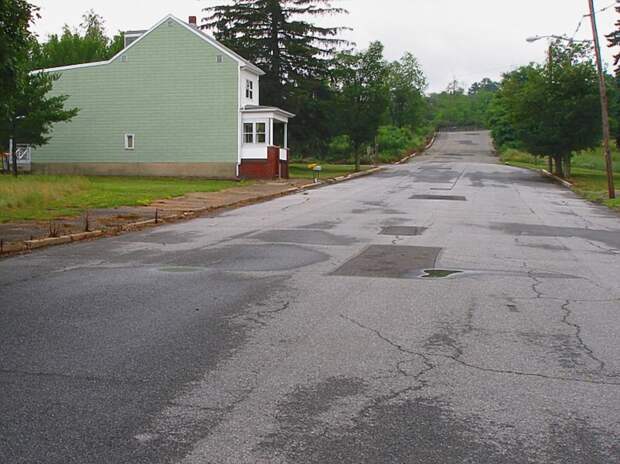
pixel 466 40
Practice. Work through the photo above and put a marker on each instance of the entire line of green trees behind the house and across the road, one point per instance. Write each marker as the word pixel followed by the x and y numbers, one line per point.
pixel 352 105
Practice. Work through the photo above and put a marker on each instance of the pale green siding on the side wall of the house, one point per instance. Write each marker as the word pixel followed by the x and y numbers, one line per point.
pixel 170 92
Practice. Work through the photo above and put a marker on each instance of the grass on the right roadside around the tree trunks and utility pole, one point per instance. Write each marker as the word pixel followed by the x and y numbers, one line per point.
pixel 587 173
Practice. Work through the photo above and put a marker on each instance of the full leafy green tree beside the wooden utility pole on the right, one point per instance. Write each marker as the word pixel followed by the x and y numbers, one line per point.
pixel 550 110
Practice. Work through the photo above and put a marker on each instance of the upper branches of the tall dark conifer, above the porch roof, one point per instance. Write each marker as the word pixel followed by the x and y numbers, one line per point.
pixel 277 36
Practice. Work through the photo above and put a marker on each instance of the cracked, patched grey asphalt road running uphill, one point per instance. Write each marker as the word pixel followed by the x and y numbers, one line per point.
pixel 450 310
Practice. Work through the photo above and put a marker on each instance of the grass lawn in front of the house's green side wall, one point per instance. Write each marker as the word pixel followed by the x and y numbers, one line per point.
pixel 48 197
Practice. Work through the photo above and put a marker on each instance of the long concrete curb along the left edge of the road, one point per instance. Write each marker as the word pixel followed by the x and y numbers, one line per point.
pixel 12 248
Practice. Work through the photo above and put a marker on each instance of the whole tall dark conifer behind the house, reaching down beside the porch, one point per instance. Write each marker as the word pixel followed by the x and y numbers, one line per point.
pixel 296 55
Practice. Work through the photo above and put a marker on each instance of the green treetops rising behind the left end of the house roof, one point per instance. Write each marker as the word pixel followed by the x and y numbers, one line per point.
pixel 87 44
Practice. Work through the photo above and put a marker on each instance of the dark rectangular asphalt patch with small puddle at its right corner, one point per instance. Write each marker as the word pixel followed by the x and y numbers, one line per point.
pixel 397 262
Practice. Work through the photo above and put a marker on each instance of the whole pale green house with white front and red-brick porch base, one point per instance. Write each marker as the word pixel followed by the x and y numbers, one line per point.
pixel 173 102
